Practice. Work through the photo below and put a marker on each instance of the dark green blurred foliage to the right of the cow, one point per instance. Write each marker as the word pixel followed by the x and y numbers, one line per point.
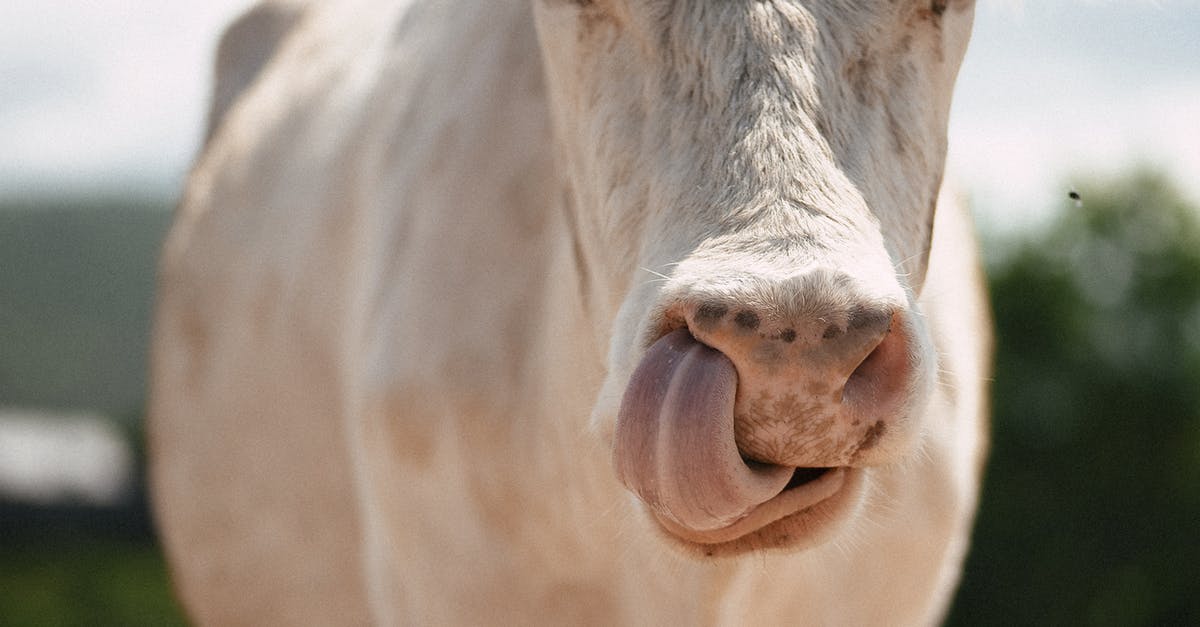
pixel 1091 509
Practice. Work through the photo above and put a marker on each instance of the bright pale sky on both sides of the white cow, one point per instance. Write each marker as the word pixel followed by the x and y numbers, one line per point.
pixel 110 97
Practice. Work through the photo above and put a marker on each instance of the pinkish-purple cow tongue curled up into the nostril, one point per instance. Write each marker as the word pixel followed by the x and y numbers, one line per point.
pixel 675 439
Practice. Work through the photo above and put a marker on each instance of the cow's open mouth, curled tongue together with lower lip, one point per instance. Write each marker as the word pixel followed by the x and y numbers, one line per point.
pixel 675 447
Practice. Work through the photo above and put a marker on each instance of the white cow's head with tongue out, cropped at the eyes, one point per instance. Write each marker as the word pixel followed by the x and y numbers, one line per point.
pixel 753 188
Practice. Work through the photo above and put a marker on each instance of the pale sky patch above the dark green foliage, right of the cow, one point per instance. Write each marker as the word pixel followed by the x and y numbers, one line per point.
pixel 1055 94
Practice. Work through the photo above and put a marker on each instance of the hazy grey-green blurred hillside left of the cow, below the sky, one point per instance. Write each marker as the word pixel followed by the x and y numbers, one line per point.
pixel 76 288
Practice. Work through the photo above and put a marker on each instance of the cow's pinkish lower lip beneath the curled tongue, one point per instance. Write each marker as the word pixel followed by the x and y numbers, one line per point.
pixel 800 516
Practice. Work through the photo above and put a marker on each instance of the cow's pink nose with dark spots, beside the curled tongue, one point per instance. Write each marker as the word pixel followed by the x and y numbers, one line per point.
pixel 818 387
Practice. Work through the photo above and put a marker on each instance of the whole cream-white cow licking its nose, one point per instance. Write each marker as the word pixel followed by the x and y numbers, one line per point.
pixel 573 313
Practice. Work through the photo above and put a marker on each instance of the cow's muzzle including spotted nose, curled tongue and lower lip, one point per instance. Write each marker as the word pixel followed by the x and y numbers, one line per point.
pixel 749 427
